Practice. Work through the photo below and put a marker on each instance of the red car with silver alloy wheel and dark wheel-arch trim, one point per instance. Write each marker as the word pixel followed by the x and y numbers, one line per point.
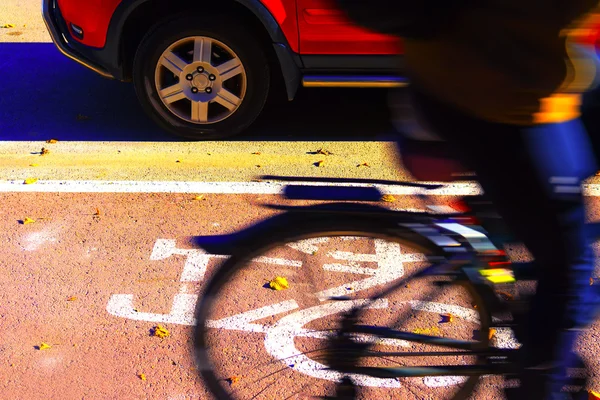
pixel 203 69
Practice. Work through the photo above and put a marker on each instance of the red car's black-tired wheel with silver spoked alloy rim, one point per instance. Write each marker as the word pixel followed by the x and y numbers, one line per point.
pixel 188 90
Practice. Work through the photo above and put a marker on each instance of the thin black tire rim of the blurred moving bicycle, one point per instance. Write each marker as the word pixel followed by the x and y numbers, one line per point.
pixel 300 226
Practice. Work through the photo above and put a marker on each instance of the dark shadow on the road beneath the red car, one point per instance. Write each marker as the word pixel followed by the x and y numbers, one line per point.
pixel 46 95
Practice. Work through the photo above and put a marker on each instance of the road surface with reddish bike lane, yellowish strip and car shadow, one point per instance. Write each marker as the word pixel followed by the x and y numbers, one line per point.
pixel 106 254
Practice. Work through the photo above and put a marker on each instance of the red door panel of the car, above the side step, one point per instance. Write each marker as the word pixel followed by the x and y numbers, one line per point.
pixel 324 29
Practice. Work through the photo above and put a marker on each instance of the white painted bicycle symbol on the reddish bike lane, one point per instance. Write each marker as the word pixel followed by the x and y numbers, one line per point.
pixel 279 338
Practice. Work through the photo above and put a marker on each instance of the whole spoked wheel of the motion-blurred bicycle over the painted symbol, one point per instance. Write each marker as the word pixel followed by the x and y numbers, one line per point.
pixel 253 342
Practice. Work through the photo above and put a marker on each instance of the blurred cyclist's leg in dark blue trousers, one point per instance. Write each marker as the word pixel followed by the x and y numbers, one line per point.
pixel 547 215
